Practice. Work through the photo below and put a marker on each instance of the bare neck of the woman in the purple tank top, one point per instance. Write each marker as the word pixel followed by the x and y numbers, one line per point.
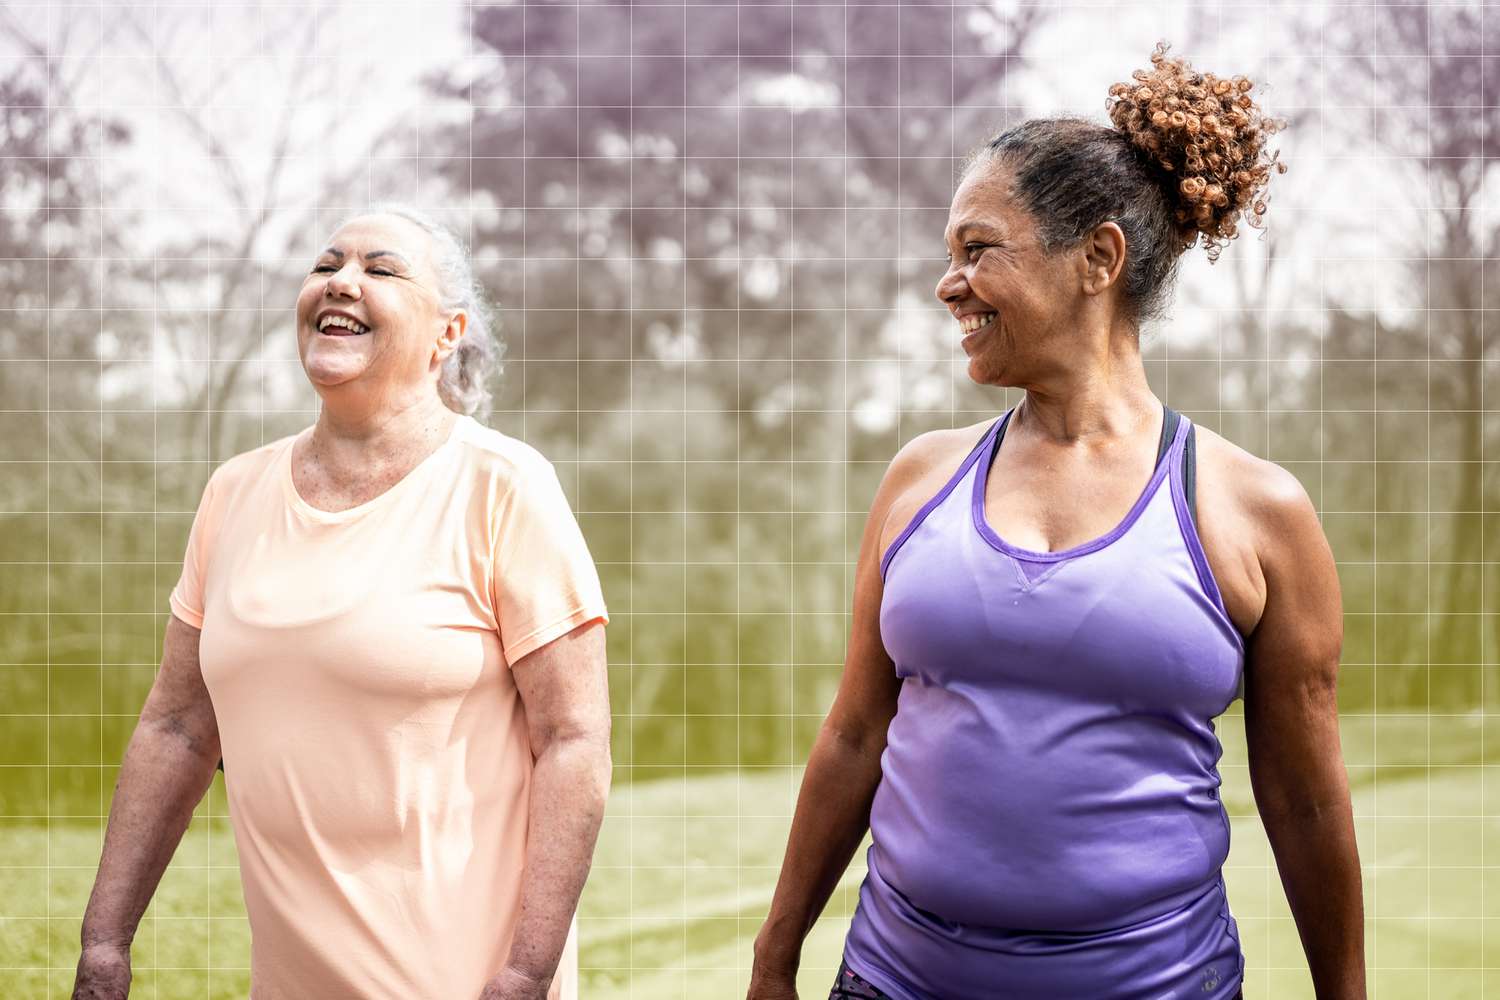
pixel 1106 400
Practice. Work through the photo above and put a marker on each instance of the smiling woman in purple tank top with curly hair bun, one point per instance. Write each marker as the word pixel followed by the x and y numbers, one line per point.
pixel 1045 632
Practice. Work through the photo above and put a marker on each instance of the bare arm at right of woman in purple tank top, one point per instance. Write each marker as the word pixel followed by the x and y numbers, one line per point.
pixel 1297 767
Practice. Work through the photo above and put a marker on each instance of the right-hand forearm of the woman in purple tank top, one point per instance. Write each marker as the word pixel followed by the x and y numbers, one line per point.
pixel 1319 864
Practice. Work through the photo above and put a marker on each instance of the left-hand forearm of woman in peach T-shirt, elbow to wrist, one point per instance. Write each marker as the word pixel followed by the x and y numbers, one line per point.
pixel 163 779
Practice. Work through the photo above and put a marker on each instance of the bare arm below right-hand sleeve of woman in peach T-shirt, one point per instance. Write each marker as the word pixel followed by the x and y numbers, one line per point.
pixel 565 687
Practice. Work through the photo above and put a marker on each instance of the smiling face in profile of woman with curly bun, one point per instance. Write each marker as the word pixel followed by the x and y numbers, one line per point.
pixel 1012 301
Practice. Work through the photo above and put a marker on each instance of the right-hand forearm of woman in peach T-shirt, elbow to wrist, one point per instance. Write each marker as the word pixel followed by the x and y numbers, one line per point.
pixel 569 788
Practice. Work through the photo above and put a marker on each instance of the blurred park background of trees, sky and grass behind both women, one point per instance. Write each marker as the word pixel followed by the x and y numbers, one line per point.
pixel 715 232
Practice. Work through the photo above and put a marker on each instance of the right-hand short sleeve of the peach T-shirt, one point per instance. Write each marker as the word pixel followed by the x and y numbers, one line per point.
pixel 545 584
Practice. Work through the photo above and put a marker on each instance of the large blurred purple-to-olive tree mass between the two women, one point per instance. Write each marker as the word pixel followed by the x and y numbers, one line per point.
pixel 709 221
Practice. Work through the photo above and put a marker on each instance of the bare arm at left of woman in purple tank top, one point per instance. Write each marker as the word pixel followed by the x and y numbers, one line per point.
pixel 844 770
